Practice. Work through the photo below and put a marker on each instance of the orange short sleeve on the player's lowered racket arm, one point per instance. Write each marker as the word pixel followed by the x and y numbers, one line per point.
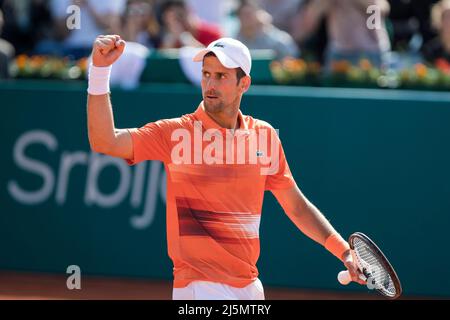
pixel 282 177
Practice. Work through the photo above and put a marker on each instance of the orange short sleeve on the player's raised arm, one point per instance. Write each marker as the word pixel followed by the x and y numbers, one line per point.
pixel 150 142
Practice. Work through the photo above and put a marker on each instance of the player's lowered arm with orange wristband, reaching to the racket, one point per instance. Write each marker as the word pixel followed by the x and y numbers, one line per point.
pixel 314 224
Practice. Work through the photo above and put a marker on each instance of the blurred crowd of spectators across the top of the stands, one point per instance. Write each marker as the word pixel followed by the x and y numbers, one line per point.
pixel 388 33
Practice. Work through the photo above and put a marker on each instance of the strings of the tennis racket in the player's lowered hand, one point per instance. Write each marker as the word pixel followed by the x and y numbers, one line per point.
pixel 373 268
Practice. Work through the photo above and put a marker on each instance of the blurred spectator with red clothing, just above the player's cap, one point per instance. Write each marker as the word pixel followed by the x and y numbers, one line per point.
pixel 183 28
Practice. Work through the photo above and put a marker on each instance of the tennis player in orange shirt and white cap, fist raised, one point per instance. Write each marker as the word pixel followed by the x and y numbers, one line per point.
pixel 215 187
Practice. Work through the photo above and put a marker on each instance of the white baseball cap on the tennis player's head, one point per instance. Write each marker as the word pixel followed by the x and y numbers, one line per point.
pixel 230 52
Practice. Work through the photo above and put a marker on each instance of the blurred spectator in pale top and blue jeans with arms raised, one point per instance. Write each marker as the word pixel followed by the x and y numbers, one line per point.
pixel 349 37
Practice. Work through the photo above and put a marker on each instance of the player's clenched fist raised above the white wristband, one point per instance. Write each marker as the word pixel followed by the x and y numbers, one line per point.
pixel 107 49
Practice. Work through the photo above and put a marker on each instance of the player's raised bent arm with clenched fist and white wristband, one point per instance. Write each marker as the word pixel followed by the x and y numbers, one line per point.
pixel 103 136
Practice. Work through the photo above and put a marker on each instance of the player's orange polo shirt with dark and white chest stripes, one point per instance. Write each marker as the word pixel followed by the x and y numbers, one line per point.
pixel 216 180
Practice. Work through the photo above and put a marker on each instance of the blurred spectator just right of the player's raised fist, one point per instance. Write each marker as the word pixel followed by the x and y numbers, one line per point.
pixel 141 25
